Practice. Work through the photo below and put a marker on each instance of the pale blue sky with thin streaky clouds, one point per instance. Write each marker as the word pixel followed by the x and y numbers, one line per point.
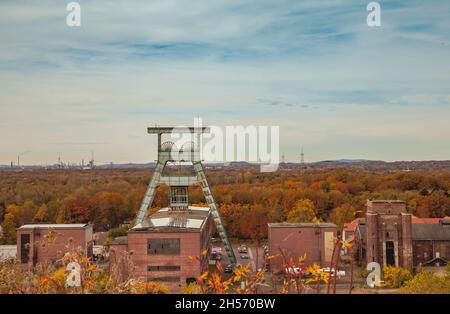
pixel 334 86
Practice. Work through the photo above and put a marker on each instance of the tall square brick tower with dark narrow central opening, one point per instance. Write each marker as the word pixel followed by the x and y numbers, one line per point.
pixel 389 233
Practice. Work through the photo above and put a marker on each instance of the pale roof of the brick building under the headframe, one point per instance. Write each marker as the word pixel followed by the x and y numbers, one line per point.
pixel 166 220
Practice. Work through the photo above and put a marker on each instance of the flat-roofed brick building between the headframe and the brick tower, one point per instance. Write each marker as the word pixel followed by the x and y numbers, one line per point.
pixel 299 239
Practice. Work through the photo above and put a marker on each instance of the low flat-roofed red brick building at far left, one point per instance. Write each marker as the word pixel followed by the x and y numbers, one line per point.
pixel 37 243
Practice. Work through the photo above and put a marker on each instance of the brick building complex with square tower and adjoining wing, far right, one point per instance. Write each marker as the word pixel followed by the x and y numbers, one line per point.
pixel 391 236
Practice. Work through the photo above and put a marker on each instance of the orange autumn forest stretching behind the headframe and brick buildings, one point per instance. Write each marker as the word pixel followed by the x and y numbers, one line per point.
pixel 247 199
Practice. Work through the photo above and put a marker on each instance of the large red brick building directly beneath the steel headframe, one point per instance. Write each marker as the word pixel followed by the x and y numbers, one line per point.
pixel 167 247
